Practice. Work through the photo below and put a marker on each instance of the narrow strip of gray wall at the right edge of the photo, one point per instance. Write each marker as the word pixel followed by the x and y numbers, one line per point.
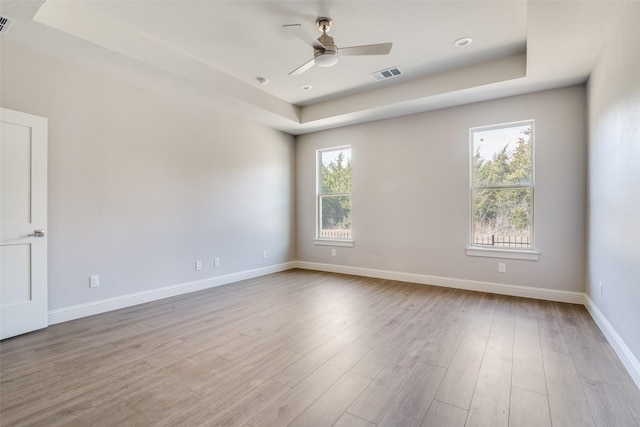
pixel 614 180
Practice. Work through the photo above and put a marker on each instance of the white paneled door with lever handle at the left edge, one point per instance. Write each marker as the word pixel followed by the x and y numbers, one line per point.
pixel 23 218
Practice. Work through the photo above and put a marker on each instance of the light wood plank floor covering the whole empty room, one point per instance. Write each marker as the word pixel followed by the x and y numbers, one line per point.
pixel 314 349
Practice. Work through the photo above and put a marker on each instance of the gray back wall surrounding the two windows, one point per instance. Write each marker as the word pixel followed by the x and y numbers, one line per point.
pixel 411 192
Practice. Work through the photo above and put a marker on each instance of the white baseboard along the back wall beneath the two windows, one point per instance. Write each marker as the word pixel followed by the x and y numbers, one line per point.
pixel 472 285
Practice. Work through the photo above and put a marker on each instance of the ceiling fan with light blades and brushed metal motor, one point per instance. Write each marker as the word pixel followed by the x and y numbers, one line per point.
pixel 325 52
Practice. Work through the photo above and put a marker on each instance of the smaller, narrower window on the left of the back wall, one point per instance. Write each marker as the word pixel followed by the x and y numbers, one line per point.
pixel 334 194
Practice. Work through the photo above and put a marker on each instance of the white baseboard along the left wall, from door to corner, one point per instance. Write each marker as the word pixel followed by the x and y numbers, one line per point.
pixel 102 306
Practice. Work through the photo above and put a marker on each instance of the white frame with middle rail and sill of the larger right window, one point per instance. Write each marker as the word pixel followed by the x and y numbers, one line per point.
pixel 472 249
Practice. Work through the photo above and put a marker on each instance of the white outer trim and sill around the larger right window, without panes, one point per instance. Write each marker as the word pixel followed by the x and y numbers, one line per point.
pixel 525 254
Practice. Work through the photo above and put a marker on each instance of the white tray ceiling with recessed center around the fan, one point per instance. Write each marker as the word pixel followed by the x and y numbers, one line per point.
pixel 215 50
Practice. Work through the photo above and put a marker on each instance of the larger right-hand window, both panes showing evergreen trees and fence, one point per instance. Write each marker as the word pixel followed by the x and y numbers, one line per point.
pixel 502 187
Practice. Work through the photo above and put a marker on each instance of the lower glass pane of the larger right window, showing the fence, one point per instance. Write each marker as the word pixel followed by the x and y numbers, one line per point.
pixel 502 217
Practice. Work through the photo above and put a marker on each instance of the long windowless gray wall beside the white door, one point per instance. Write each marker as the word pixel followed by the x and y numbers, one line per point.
pixel 142 184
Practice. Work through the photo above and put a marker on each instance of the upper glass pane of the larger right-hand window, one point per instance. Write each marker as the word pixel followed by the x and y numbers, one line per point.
pixel 502 156
